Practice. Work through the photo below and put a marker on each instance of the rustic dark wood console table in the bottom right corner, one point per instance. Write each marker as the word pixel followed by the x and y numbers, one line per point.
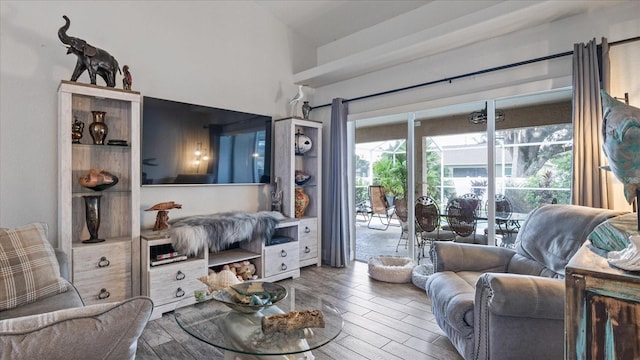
pixel 602 309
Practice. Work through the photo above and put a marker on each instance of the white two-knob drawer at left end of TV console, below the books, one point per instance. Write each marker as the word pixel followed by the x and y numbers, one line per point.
pixel 172 282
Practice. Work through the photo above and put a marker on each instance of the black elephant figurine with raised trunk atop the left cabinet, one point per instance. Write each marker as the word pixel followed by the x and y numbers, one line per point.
pixel 96 61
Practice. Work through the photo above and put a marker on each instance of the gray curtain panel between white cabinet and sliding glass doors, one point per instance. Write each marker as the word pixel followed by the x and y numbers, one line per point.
pixel 336 215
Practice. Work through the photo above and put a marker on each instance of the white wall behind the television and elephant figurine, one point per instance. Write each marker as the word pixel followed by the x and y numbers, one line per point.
pixel 217 53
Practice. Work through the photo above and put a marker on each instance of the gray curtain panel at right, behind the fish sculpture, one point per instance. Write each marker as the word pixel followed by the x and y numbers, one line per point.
pixel 590 74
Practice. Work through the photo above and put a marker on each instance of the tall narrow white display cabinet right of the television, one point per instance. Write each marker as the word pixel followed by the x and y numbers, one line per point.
pixel 286 162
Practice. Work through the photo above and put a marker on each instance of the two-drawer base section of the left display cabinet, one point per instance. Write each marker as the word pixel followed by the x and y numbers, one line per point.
pixel 102 272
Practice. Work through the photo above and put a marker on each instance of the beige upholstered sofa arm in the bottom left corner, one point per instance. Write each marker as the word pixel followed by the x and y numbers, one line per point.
pixel 104 331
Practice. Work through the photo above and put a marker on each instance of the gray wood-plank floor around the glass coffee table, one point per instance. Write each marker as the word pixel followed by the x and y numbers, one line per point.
pixel 382 321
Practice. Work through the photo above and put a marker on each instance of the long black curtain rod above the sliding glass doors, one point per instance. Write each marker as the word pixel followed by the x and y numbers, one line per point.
pixel 474 73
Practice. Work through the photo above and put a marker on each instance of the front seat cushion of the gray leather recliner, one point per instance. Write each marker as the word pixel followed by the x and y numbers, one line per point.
pixel 452 295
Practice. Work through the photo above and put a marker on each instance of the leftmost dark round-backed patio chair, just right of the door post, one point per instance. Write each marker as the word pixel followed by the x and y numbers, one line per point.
pixel 428 224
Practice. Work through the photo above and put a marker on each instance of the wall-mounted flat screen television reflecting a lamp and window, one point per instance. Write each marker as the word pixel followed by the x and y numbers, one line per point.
pixel 192 144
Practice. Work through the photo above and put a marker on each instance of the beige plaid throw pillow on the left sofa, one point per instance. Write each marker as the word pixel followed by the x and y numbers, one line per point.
pixel 29 269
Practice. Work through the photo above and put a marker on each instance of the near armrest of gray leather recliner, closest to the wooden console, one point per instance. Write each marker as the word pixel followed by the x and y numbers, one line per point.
pixel 521 295
